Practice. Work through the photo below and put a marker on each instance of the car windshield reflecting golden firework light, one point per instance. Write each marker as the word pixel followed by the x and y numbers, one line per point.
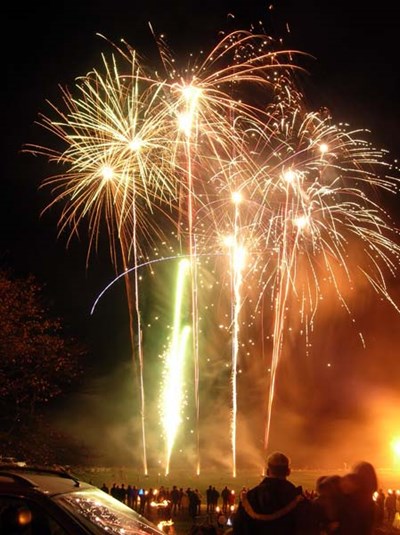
pixel 96 508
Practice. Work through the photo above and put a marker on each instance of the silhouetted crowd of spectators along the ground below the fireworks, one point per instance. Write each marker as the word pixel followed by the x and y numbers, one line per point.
pixel 333 500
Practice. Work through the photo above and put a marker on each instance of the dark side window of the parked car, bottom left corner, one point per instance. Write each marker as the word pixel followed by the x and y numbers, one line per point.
pixel 20 516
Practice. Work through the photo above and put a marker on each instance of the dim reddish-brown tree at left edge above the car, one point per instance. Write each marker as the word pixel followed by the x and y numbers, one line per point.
pixel 38 361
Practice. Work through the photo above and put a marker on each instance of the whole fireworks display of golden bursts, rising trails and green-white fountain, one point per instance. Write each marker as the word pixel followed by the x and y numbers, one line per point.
pixel 218 161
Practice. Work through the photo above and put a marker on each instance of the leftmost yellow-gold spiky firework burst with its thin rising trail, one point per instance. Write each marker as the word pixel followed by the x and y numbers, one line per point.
pixel 116 152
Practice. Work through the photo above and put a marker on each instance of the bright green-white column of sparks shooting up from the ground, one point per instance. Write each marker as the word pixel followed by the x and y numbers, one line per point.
pixel 172 394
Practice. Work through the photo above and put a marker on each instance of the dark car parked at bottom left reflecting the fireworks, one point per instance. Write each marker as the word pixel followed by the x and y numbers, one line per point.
pixel 47 501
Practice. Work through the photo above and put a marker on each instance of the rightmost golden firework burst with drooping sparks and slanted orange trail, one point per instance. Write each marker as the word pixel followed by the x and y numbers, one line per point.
pixel 314 207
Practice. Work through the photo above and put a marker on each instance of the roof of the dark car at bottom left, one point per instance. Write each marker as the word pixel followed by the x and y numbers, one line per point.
pixel 50 481
